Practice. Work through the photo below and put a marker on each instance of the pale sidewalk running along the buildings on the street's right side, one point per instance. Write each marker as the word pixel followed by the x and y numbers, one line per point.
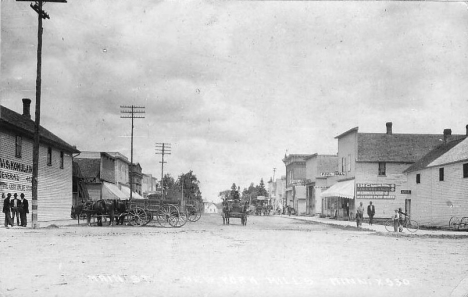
pixel 377 228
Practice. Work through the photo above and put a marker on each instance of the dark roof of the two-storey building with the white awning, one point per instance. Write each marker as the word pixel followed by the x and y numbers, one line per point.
pixel 403 148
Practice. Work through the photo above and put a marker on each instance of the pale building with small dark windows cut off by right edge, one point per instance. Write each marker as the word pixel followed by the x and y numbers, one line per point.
pixel 438 184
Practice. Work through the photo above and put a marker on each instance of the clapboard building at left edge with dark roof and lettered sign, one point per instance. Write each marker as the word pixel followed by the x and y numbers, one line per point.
pixel 55 170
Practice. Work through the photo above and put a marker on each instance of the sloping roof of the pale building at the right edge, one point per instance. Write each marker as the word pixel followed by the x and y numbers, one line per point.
pixel 450 152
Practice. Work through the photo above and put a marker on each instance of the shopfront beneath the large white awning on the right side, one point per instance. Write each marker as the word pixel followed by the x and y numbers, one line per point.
pixel 338 200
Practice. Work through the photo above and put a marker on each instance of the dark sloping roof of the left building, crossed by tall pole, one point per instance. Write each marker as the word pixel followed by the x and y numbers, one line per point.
pixel 23 124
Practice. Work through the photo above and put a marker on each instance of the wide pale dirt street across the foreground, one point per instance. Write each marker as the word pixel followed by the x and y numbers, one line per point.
pixel 271 256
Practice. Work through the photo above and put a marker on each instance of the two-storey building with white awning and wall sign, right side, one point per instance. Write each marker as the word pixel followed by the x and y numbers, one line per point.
pixel 373 165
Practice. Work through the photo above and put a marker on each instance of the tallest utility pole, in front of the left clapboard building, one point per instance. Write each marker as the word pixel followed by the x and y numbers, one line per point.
pixel 37 119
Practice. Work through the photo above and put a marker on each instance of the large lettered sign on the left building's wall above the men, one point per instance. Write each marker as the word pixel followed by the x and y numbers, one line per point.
pixel 15 176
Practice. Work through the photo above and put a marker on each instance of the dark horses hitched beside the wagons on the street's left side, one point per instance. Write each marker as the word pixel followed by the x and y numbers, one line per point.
pixel 105 208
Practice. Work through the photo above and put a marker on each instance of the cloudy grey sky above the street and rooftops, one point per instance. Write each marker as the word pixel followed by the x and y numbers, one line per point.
pixel 236 85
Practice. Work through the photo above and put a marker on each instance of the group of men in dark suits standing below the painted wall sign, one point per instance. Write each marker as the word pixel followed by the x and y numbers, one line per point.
pixel 14 207
